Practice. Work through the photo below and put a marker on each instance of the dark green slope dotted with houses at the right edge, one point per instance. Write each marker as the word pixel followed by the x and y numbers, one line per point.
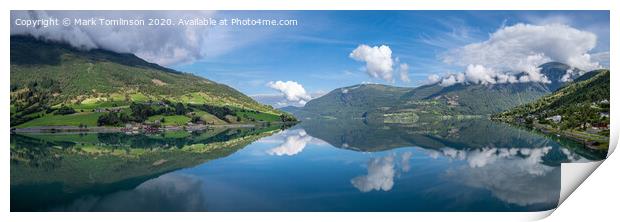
pixel 582 105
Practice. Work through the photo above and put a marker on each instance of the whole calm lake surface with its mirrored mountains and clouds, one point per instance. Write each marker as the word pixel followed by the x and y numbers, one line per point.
pixel 473 165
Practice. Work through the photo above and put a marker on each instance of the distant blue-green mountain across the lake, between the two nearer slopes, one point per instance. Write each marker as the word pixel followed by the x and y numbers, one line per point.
pixel 398 104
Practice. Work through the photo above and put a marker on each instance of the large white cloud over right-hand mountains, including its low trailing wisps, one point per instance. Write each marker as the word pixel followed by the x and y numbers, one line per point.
pixel 514 53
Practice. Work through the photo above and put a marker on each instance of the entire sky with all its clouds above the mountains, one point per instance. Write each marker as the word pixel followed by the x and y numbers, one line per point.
pixel 326 50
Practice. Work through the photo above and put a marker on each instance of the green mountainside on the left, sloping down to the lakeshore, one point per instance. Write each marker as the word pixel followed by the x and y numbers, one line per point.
pixel 49 78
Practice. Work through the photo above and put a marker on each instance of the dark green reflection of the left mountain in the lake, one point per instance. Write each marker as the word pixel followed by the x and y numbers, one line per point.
pixel 48 170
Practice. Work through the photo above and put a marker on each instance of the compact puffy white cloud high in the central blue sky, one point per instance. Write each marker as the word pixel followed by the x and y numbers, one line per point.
pixel 378 59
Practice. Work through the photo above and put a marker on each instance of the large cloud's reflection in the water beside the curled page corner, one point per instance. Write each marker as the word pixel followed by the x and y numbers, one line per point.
pixel 513 175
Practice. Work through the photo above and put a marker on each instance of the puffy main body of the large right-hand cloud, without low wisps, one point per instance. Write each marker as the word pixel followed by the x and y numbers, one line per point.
pixel 524 45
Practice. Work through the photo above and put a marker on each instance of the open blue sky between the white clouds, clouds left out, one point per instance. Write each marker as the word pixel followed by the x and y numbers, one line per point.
pixel 315 53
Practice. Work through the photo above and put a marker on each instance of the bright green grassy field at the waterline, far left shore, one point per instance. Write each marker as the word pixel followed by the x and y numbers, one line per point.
pixel 86 118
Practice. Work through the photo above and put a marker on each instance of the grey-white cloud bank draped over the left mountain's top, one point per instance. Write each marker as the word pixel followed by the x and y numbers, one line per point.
pixel 165 46
